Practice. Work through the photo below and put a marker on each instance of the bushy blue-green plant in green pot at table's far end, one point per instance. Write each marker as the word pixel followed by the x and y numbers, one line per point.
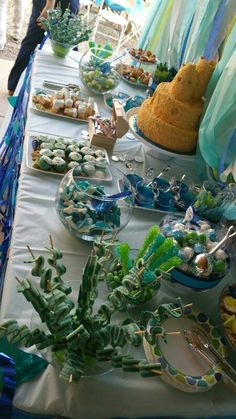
pixel 65 30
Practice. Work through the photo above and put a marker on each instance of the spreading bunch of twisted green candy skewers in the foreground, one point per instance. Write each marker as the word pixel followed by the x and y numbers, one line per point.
pixel 74 330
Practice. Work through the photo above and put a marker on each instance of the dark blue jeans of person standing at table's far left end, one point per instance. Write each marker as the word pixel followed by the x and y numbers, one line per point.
pixel 33 37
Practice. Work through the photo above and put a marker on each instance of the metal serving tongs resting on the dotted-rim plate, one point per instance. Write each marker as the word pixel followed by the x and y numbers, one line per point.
pixel 198 341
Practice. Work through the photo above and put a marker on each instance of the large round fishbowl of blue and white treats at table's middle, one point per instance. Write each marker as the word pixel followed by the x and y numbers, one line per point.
pixel 89 208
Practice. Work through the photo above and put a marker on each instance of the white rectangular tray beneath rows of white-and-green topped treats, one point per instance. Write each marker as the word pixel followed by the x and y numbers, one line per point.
pixel 32 139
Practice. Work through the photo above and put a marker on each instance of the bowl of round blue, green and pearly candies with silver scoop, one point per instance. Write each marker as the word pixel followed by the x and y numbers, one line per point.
pixel 205 263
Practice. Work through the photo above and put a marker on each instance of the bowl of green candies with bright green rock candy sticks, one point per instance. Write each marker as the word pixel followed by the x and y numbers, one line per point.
pixel 140 270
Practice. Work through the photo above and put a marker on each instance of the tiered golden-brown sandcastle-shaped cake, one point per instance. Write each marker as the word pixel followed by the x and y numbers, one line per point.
pixel 171 116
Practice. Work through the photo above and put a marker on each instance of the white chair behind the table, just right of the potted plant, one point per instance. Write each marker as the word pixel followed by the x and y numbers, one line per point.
pixel 108 17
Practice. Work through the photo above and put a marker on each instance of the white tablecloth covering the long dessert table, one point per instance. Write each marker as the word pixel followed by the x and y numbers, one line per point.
pixel 114 394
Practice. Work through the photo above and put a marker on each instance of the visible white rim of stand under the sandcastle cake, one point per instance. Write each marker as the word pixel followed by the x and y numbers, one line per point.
pixel 153 148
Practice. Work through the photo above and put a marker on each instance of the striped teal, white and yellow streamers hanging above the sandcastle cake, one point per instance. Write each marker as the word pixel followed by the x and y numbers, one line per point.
pixel 179 31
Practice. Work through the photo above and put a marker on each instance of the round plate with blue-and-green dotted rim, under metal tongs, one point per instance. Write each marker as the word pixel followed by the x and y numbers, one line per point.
pixel 182 367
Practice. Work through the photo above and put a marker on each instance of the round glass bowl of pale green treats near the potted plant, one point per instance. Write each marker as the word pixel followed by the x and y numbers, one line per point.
pixel 98 73
